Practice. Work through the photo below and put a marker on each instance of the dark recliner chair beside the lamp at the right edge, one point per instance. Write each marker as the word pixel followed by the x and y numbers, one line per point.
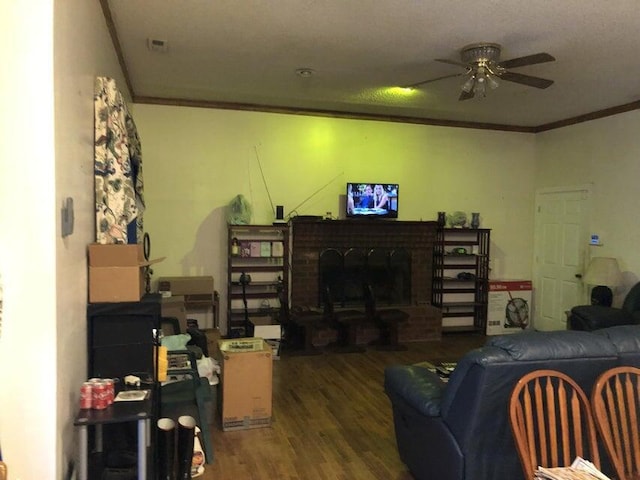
pixel 595 317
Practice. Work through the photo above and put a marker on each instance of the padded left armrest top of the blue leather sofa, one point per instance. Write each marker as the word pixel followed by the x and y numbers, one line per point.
pixel 416 386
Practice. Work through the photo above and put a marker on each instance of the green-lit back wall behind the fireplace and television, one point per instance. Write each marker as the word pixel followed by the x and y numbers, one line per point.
pixel 197 160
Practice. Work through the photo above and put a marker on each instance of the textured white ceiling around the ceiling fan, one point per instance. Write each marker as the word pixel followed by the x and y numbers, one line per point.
pixel 247 51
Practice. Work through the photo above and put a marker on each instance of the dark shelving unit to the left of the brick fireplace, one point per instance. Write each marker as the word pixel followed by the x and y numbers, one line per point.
pixel 261 253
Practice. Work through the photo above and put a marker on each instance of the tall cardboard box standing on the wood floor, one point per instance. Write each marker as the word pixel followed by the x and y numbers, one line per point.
pixel 246 382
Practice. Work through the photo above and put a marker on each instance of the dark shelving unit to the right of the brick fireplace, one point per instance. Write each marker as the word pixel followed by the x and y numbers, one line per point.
pixel 461 278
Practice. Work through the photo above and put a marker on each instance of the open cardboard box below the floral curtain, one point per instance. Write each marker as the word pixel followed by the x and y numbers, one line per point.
pixel 116 272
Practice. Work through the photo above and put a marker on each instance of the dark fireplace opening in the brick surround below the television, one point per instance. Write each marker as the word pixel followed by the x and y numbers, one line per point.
pixel 346 273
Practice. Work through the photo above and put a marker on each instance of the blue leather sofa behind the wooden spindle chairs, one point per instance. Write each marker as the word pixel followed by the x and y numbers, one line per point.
pixel 460 430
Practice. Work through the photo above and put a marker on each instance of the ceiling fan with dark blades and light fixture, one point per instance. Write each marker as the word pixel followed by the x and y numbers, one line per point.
pixel 484 69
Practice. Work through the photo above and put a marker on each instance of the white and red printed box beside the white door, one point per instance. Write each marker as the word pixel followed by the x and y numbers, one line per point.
pixel 509 309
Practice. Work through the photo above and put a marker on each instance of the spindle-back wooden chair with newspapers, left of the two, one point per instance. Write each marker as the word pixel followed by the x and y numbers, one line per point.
pixel 551 421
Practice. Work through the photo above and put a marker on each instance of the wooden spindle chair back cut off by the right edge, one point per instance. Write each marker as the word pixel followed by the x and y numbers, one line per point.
pixel 615 401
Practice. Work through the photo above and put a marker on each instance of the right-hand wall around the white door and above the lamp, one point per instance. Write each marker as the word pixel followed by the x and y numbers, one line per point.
pixel 604 154
